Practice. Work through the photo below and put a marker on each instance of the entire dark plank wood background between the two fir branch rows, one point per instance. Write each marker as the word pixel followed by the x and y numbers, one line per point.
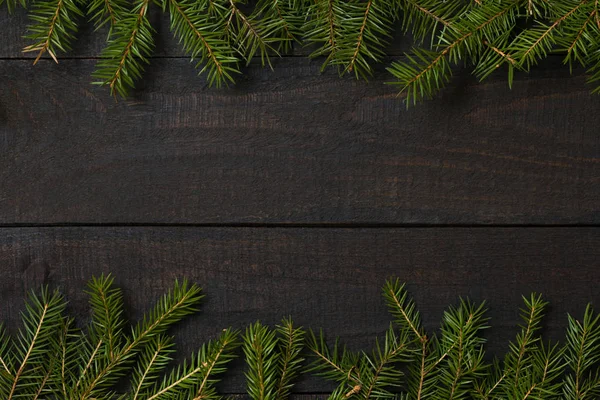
pixel 297 193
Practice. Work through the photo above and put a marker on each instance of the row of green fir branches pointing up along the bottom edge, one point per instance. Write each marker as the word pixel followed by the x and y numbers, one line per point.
pixel 51 359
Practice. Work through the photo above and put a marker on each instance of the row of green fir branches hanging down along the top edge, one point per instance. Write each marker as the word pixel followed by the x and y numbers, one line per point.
pixel 350 35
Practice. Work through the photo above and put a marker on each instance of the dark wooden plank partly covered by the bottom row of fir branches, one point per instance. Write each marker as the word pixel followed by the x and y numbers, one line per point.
pixel 328 278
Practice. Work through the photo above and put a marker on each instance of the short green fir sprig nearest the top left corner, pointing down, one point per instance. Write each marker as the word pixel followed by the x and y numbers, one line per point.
pixel 53 27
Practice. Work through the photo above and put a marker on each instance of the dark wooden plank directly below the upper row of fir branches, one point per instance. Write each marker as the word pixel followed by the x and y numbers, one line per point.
pixel 293 146
